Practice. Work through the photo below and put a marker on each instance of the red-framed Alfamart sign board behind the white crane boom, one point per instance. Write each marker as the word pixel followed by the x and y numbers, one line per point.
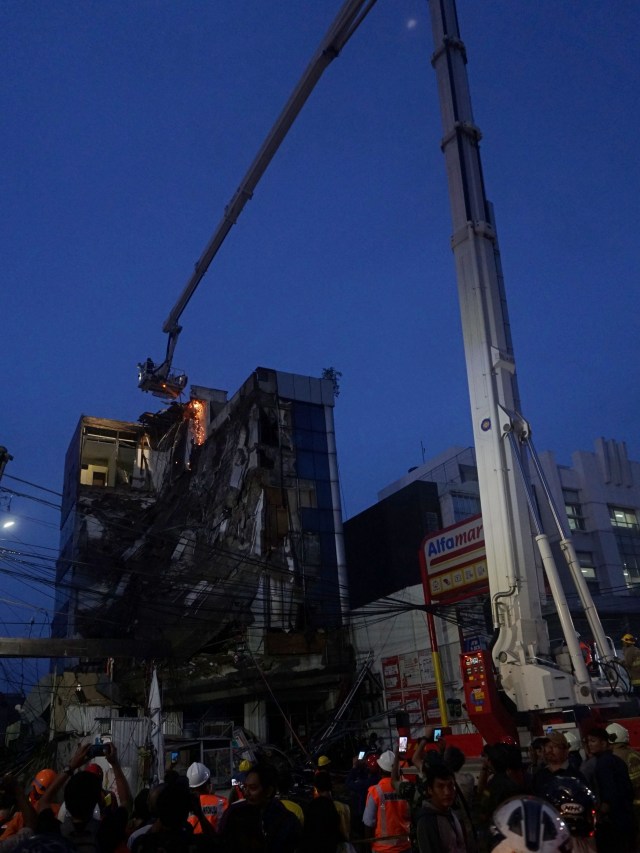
pixel 455 562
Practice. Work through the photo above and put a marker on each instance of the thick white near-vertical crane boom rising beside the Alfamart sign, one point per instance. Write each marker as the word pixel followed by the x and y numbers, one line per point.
pixel 521 650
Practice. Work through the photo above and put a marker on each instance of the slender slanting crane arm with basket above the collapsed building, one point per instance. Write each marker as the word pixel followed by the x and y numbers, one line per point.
pixel 158 378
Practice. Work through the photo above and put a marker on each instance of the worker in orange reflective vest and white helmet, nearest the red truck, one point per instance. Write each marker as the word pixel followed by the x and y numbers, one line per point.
pixel 386 814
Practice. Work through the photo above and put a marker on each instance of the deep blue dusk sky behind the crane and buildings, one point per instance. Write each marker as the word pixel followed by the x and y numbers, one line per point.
pixel 127 127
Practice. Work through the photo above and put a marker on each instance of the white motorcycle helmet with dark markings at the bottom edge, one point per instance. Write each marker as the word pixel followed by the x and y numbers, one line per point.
pixel 530 825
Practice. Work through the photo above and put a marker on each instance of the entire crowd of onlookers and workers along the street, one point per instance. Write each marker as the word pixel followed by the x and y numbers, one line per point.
pixel 568 795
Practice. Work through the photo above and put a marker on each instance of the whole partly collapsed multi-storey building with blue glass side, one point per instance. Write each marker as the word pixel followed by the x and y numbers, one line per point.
pixel 214 528
